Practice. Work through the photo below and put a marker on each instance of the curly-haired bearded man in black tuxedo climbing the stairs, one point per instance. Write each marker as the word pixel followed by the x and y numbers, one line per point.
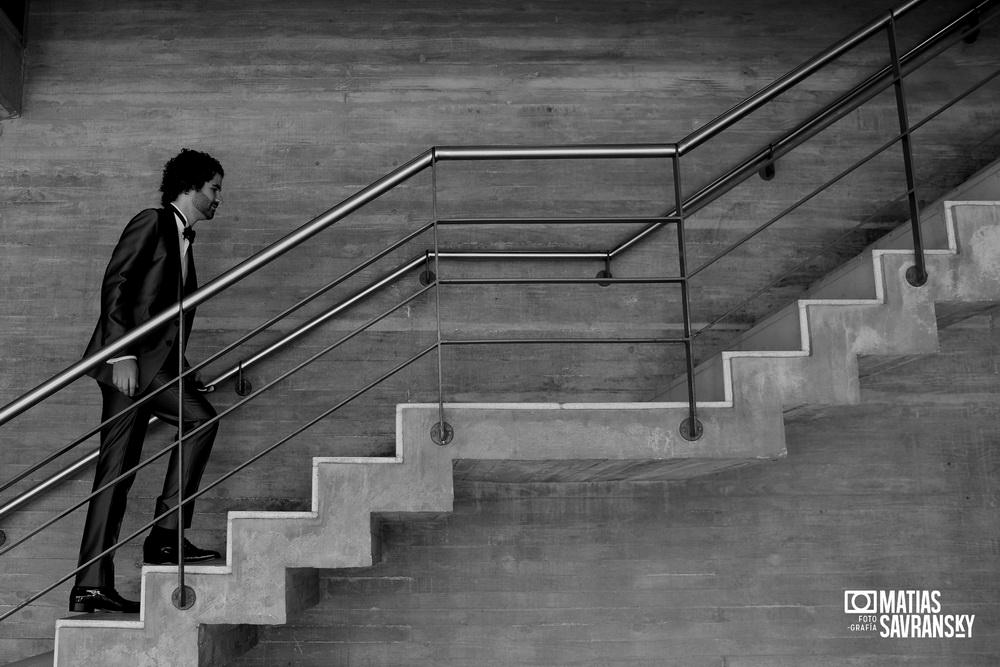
pixel 151 268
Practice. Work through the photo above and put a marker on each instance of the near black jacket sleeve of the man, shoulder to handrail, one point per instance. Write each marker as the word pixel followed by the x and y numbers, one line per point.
pixel 124 277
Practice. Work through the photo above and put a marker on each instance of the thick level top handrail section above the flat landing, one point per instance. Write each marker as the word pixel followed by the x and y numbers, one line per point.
pixel 663 150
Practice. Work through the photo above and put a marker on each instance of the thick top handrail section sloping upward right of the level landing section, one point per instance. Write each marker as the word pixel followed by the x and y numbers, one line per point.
pixel 789 80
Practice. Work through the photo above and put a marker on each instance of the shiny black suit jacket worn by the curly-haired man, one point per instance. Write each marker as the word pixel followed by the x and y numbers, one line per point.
pixel 143 279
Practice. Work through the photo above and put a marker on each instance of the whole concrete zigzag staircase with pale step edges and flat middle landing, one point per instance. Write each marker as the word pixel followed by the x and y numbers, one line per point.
pixel 805 354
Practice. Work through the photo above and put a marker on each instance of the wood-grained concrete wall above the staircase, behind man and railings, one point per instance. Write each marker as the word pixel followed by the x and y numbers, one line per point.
pixel 305 103
